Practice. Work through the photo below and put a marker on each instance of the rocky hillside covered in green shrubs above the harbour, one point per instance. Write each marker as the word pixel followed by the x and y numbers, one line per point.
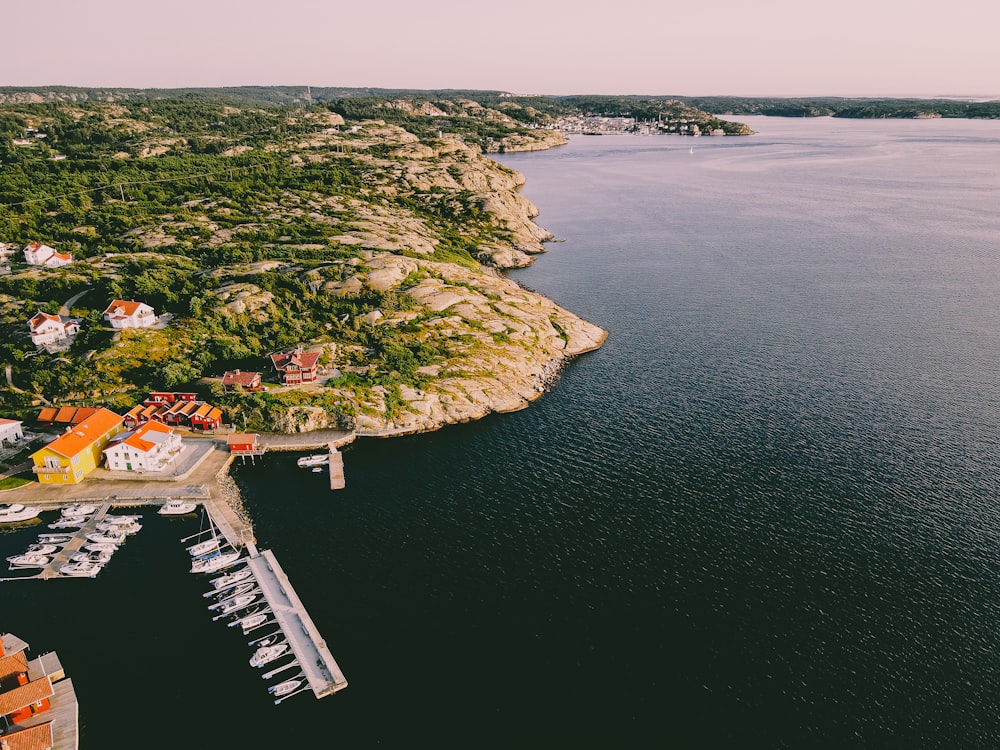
pixel 368 231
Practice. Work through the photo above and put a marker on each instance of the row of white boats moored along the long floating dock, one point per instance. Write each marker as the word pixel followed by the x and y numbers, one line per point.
pixel 237 597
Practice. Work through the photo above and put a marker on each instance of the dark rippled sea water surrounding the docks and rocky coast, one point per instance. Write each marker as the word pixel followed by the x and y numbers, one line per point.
pixel 764 514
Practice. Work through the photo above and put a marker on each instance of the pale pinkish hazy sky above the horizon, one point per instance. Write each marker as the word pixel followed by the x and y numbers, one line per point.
pixel 691 48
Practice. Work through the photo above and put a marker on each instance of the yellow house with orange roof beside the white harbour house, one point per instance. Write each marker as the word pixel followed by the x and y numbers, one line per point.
pixel 77 452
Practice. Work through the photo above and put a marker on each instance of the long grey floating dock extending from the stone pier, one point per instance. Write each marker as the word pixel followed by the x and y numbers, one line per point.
pixel 310 650
